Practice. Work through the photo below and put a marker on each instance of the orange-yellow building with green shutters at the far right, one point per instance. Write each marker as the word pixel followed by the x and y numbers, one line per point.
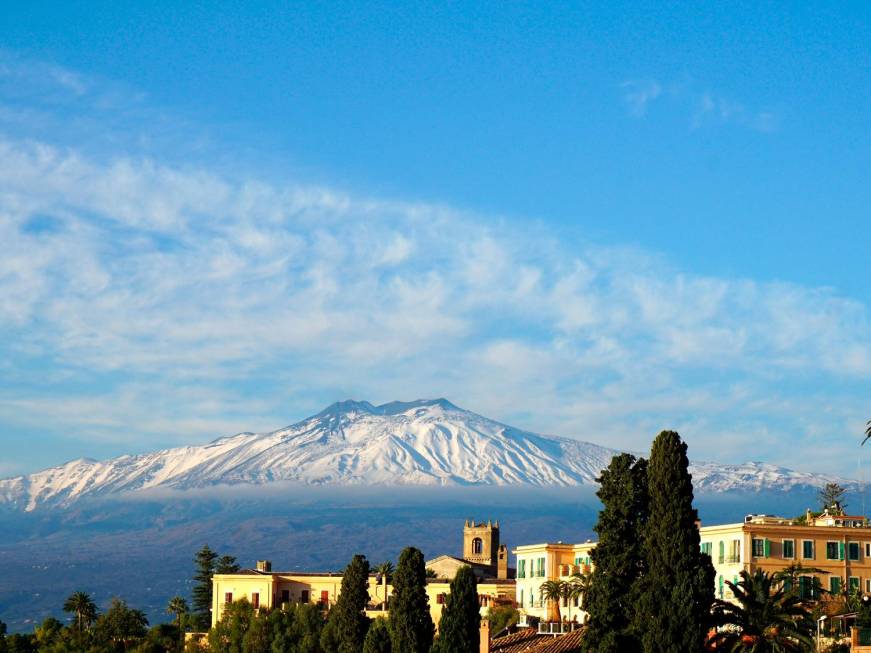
pixel 839 545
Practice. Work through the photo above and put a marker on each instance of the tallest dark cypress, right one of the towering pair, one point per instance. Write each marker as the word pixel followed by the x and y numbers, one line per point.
pixel 677 589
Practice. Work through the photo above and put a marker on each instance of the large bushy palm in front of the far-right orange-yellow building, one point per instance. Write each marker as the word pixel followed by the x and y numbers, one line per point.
pixel 764 618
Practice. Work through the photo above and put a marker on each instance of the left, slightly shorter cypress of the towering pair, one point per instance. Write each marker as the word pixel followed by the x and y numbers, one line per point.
pixel 618 560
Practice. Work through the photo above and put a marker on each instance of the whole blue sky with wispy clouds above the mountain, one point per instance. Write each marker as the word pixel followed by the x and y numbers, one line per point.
pixel 596 220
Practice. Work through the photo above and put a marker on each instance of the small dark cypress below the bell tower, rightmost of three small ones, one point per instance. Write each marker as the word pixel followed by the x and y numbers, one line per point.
pixel 459 627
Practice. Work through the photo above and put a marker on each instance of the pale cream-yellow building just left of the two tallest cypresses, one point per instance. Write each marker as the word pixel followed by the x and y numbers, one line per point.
pixel 537 563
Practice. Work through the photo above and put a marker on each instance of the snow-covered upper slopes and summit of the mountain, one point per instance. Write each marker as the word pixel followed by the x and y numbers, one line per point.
pixel 427 442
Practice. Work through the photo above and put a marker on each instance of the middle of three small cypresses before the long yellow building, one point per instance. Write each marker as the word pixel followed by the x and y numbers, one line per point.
pixel 411 626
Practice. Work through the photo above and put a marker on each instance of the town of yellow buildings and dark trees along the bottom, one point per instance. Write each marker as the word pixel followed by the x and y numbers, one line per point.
pixel 655 579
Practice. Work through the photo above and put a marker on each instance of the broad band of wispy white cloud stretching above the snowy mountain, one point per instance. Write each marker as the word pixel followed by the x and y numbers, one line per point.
pixel 150 303
